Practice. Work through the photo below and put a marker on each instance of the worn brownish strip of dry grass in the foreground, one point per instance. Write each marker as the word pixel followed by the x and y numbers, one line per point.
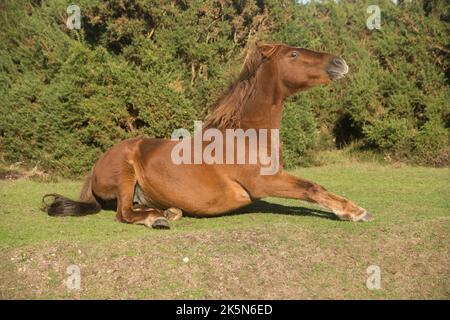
pixel 272 262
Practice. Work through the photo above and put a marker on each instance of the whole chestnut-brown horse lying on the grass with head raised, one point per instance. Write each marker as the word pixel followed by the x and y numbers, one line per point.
pixel 140 176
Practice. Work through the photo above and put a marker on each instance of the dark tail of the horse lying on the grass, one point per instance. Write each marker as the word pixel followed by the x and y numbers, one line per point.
pixel 62 206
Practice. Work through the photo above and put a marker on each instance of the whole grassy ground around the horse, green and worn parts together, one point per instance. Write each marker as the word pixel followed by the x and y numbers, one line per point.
pixel 280 249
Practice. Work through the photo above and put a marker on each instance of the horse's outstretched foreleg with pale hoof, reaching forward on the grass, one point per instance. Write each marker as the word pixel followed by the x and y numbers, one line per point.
pixel 288 186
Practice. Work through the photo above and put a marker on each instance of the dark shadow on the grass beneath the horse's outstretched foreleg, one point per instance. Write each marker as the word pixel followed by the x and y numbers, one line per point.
pixel 267 207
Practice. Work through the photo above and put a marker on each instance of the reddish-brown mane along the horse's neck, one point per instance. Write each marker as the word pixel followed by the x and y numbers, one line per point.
pixel 228 108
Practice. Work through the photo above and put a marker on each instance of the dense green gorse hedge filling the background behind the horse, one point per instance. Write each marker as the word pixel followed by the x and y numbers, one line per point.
pixel 148 67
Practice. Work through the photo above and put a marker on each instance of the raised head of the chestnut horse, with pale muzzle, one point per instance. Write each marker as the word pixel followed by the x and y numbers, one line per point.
pixel 299 69
